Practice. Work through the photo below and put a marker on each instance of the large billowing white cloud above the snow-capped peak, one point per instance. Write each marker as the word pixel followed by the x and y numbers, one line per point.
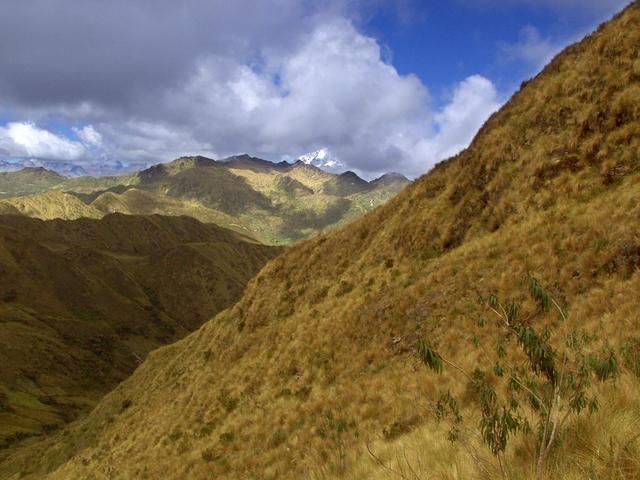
pixel 334 91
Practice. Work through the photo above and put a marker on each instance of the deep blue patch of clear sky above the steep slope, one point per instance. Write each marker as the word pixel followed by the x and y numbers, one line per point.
pixel 443 41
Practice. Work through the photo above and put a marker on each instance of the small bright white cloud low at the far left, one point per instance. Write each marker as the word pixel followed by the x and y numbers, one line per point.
pixel 23 139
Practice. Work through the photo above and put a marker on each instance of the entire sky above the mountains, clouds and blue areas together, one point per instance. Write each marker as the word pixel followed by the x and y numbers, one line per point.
pixel 383 85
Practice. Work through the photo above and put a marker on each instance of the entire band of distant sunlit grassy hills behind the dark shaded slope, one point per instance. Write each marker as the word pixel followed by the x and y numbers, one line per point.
pixel 275 203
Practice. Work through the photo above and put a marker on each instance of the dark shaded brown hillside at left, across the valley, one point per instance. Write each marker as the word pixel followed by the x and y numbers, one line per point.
pixel 82 303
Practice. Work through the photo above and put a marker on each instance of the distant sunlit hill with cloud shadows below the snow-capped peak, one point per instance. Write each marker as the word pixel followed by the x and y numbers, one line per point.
pixel 275 203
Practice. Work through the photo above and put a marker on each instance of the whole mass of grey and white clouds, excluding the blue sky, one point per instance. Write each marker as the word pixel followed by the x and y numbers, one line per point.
pixel 149 81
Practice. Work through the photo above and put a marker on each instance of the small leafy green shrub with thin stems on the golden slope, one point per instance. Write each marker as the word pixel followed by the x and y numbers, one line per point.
pixel 545 389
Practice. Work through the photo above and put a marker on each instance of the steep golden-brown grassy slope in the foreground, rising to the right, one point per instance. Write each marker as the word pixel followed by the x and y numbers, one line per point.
pixel 319 356
